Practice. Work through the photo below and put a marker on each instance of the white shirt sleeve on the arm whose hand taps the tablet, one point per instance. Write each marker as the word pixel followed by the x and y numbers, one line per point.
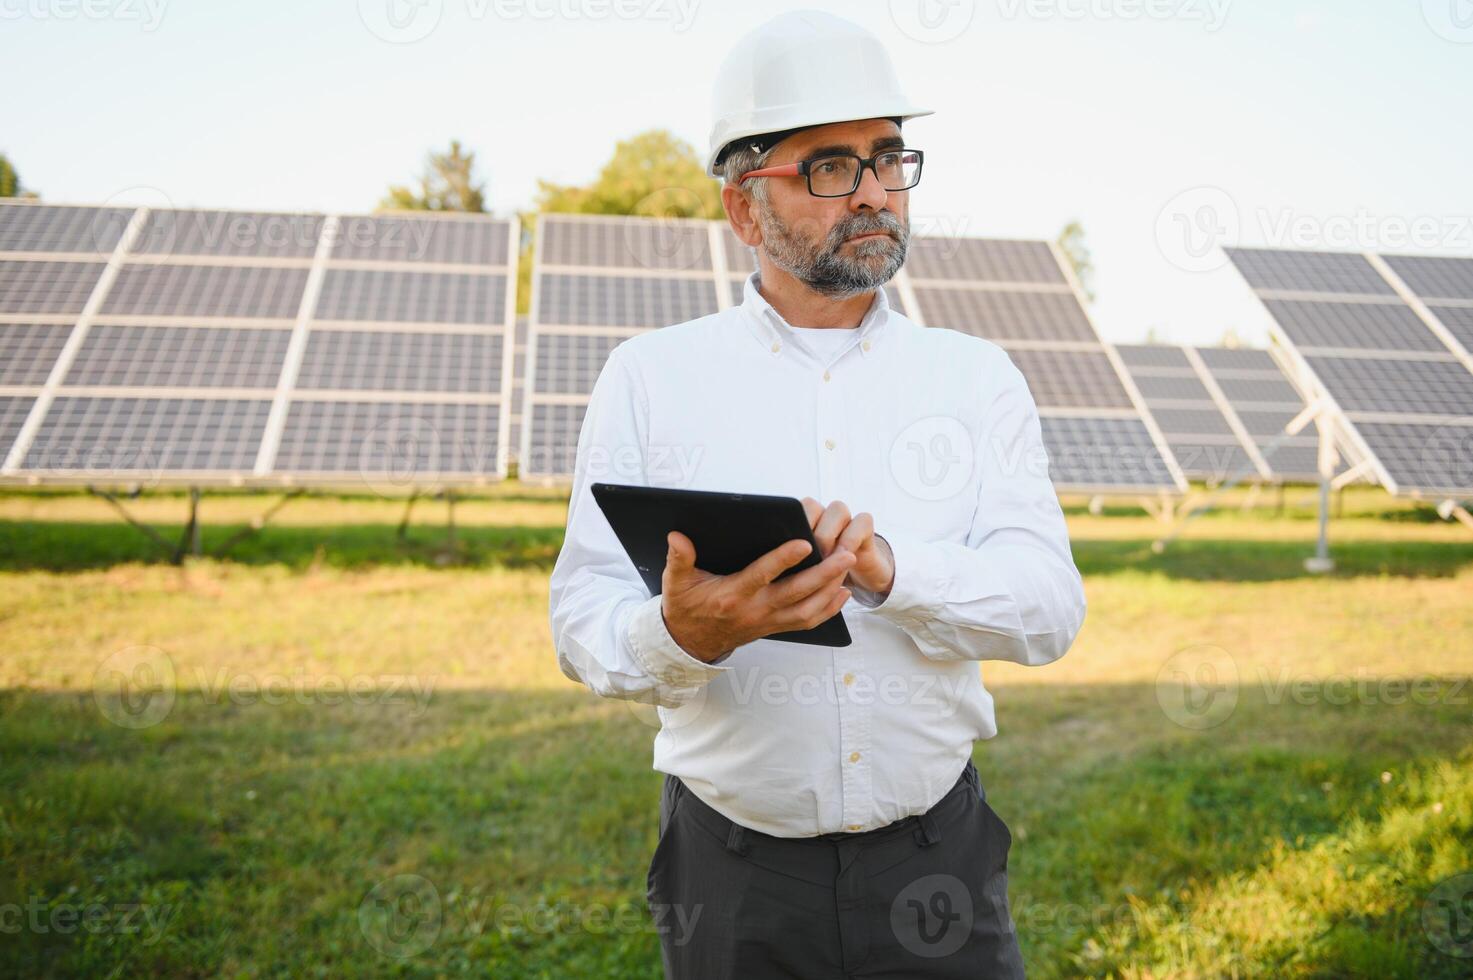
pixel 1013 590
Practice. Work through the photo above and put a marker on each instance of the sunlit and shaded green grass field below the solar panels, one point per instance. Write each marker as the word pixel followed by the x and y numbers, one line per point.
pixel 365 739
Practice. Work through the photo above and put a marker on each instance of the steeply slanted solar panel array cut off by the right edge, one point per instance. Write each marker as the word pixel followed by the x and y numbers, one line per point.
pixel 1385 343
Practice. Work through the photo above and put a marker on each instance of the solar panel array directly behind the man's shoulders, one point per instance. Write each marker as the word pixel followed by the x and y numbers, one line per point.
pixel 599 281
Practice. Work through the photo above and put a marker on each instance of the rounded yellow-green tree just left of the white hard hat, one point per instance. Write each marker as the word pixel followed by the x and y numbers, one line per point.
pixel 650 175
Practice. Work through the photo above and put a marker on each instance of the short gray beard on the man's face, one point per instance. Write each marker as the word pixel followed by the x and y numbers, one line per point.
pixel 823 269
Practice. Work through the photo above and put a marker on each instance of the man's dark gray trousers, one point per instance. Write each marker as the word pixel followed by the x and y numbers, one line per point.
pixel 926 897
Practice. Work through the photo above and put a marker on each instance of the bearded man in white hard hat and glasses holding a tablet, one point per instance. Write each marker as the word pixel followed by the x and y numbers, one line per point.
pixel 821 813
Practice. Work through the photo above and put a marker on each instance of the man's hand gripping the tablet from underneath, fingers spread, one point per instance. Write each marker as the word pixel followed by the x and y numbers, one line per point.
pixel 712 615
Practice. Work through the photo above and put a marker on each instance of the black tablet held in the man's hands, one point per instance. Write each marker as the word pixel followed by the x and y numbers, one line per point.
pixel 730 533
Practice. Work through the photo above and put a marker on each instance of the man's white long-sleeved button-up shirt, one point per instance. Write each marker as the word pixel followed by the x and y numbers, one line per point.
pixel 930 431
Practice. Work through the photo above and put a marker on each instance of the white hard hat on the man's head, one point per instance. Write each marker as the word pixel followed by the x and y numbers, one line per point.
pixel 799 70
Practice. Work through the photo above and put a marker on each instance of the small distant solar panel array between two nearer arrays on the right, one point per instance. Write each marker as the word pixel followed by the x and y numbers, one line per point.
pixel 1225 412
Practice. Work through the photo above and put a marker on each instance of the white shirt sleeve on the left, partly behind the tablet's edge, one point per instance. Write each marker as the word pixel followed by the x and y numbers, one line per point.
pixel 609 633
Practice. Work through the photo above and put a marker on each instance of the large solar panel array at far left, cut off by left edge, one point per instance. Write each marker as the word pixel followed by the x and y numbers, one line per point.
pixel 228 347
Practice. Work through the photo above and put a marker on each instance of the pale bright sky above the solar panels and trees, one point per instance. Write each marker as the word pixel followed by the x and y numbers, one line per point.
pixel 1167 127
